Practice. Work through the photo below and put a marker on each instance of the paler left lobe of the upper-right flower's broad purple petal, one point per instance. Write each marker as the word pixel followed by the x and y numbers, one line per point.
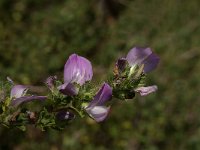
pixel 137 55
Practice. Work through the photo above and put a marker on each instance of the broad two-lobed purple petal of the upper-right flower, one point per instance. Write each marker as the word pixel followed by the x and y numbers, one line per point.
pixel 139 56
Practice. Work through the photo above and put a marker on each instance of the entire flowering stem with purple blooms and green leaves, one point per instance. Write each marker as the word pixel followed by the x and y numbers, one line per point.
pixel 76 96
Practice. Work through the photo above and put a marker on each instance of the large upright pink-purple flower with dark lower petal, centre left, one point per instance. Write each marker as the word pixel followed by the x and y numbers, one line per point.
pixel 77 70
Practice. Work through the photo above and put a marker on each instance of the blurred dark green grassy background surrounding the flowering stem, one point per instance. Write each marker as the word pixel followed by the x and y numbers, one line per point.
pixel 37 37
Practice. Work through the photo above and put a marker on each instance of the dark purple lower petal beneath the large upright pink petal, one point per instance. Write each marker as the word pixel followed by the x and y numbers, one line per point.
pixel 68 89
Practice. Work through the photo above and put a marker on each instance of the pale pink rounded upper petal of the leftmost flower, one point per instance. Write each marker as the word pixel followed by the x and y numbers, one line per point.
pixel 18 91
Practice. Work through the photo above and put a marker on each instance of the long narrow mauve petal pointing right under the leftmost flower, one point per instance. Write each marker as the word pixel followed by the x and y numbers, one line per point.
pixel 24 99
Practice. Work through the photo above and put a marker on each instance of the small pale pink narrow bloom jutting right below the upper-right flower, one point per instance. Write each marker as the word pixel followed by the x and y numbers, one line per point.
pixel 146 90
